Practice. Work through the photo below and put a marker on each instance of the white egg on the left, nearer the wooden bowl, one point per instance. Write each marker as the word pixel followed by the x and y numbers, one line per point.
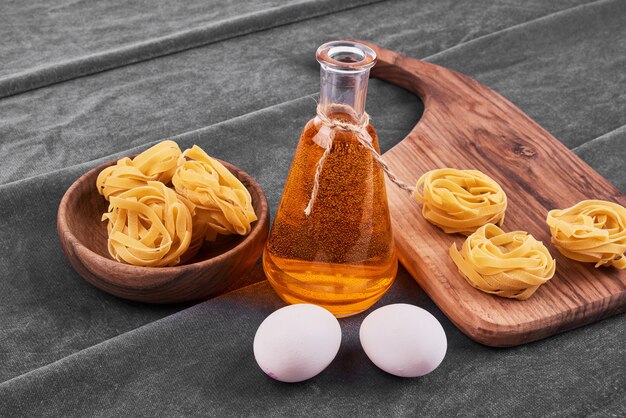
pixel 297 342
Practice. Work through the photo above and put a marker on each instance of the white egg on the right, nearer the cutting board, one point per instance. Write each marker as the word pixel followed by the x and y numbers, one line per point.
pixel 403 340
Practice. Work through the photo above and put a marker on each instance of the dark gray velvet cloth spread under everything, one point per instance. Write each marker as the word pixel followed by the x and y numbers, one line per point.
pixel 85 82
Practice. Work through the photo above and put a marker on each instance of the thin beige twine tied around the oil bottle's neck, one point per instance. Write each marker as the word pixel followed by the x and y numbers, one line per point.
pixel 360 129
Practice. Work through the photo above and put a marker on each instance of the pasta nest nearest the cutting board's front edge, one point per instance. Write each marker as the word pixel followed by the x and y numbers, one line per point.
pixel 510 265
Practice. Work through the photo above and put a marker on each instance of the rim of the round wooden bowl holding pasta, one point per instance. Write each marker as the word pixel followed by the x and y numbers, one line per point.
pixel 174 271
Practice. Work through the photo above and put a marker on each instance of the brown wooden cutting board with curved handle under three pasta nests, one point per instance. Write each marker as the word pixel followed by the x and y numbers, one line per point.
pixel 466 125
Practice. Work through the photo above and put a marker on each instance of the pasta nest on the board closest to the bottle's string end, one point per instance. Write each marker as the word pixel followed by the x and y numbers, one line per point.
pixel 460 201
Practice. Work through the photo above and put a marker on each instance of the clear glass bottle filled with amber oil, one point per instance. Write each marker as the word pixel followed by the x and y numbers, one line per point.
pixel 341 256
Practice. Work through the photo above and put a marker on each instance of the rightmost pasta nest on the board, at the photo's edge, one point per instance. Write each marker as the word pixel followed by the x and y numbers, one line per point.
pixel 592 231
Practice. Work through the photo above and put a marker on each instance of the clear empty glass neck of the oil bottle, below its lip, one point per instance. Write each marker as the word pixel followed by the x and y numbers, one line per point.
pixel 343 92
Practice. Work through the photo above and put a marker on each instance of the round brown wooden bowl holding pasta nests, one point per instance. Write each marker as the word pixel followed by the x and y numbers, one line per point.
pixel 84 237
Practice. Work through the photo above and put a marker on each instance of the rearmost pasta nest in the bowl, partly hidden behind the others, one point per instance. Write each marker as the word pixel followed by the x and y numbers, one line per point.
pixel 157 163
